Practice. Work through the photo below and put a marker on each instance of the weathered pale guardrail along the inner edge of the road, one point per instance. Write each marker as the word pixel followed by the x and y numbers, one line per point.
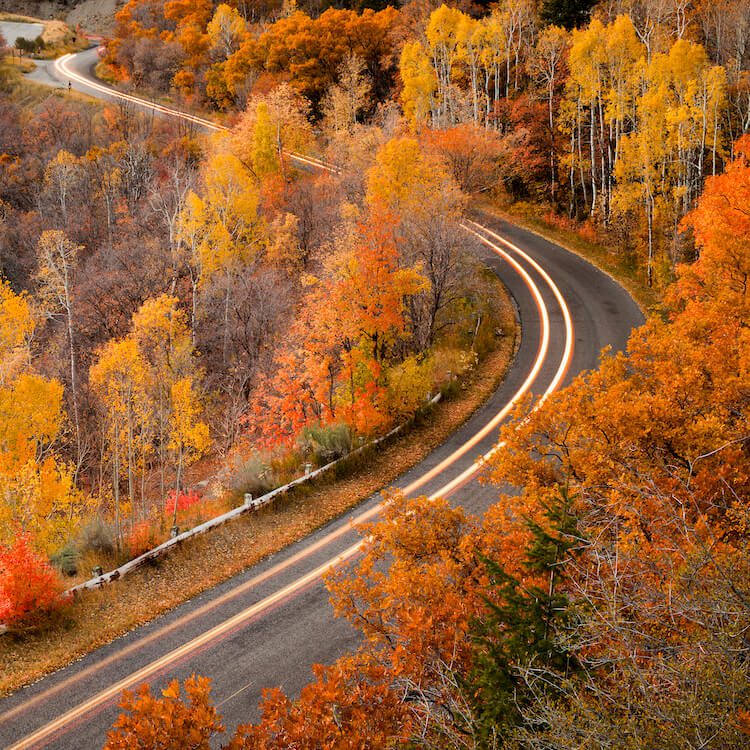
pixel 249 506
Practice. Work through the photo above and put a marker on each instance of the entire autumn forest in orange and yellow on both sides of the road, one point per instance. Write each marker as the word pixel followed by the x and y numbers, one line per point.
pixel 181 310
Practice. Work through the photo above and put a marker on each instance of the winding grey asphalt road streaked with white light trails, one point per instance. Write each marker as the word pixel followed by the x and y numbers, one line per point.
pixel 267 626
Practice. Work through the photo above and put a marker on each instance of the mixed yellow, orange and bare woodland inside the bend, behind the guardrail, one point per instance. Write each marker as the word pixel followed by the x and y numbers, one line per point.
pixel 168 300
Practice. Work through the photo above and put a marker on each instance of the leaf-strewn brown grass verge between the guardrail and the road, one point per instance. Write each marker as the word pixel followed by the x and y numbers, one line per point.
pixel 97 617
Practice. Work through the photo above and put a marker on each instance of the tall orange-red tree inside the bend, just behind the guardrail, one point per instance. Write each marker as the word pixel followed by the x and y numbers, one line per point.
pixel 343 342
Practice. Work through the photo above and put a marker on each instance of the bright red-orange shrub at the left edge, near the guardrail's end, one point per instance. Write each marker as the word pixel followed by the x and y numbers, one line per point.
pixel 30 589
